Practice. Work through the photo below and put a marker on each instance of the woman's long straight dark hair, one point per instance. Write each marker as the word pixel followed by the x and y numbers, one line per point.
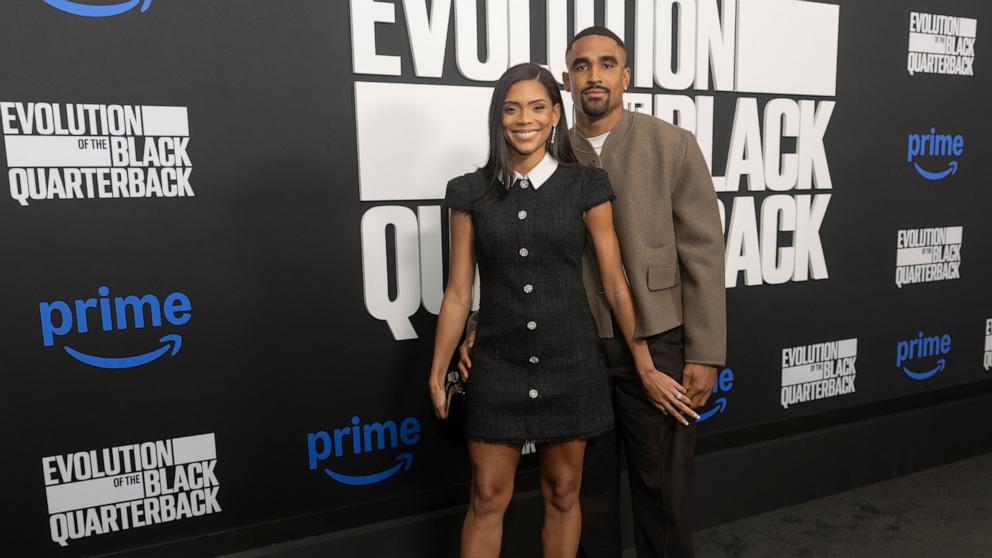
pixel 498 168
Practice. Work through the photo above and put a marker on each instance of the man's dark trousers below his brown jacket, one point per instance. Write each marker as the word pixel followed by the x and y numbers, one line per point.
pixel 659 452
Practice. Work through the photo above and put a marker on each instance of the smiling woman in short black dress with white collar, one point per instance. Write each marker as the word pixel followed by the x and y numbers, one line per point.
pixel 538 373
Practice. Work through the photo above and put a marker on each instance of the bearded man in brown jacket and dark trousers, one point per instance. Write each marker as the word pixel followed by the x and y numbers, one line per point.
pixel 671 243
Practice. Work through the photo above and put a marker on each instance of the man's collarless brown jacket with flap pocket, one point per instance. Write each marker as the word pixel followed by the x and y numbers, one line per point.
pixel 671 241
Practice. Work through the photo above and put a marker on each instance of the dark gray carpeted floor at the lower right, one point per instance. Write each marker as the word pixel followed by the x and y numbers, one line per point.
pixel 940 512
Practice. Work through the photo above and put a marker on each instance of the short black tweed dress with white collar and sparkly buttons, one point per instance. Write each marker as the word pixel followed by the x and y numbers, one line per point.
pixel 538 373
